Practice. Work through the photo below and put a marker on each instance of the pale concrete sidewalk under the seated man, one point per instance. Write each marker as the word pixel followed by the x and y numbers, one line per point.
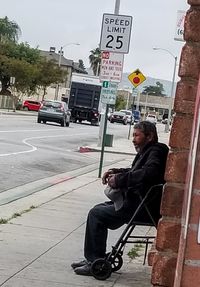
pixel 44 232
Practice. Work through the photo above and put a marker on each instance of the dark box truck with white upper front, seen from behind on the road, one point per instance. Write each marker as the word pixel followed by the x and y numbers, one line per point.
pixel 84 98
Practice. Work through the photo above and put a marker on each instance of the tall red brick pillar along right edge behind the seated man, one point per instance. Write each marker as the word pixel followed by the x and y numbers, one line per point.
pixel 169 244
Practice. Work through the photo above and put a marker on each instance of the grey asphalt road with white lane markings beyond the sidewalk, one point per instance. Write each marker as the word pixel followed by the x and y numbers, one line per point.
pixel 30 151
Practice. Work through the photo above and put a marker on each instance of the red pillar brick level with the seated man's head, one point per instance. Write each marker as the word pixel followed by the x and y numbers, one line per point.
pixel 181 132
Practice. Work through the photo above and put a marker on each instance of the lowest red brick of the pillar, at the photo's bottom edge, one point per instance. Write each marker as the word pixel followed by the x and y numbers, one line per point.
pixel 163 270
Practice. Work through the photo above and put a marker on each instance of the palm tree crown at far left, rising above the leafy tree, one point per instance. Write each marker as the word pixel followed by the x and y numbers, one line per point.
pixel 9 30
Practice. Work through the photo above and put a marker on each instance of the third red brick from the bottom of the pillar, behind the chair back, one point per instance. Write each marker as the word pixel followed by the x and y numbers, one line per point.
pixel 172 201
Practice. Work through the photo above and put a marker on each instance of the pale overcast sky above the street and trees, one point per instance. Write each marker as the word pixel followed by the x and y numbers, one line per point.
pixel 56 23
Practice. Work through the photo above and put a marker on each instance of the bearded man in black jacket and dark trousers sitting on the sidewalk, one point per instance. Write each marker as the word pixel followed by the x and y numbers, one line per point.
pixel 147 169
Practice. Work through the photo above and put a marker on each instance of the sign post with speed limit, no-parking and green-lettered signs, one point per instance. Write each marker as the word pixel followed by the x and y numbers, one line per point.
pixel 115 38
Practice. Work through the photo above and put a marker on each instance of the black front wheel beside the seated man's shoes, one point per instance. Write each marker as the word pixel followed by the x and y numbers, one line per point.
pixel 101 269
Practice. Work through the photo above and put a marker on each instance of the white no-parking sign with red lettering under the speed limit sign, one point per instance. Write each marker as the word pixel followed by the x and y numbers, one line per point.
pixel 111 67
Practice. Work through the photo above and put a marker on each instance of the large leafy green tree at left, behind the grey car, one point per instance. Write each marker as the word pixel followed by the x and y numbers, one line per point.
pixel 31 71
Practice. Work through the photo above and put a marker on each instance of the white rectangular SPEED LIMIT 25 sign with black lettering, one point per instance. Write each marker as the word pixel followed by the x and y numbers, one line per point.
pixel 115 33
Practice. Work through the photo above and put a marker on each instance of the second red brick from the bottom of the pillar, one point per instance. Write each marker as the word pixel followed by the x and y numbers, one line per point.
pixel 168 235
